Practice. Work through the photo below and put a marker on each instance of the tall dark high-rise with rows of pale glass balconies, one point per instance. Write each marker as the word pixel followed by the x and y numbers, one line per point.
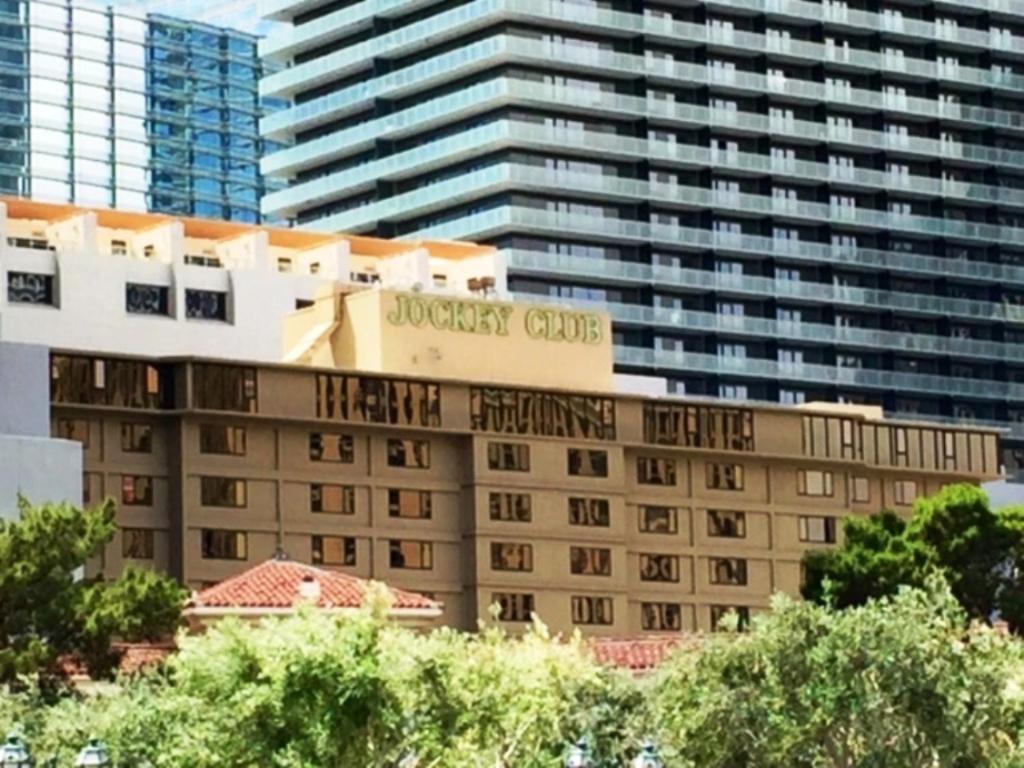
pixel 779 200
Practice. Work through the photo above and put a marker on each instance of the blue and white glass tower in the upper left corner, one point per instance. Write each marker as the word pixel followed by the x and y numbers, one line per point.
pixel 145 113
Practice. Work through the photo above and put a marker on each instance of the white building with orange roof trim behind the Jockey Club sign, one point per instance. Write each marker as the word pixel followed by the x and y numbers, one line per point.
pixel 98 280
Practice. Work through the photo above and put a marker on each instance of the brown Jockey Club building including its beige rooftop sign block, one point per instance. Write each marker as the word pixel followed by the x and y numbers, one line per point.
pixel 522 480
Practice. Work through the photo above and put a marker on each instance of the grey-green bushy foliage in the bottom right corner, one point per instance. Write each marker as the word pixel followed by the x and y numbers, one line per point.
pixel 899 684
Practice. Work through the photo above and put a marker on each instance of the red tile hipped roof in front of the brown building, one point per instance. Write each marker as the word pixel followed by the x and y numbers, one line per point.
pixel 276 585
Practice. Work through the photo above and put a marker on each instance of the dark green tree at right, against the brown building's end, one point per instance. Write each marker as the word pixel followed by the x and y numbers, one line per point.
pixel 956 533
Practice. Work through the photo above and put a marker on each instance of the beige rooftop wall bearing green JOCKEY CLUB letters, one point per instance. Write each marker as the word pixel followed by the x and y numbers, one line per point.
pixel 501 343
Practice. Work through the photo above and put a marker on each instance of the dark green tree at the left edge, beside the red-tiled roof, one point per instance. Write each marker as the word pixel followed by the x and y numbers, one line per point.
pixel 50 611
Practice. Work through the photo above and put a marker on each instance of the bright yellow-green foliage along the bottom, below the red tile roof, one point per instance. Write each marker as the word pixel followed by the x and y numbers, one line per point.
pixel 318 692
